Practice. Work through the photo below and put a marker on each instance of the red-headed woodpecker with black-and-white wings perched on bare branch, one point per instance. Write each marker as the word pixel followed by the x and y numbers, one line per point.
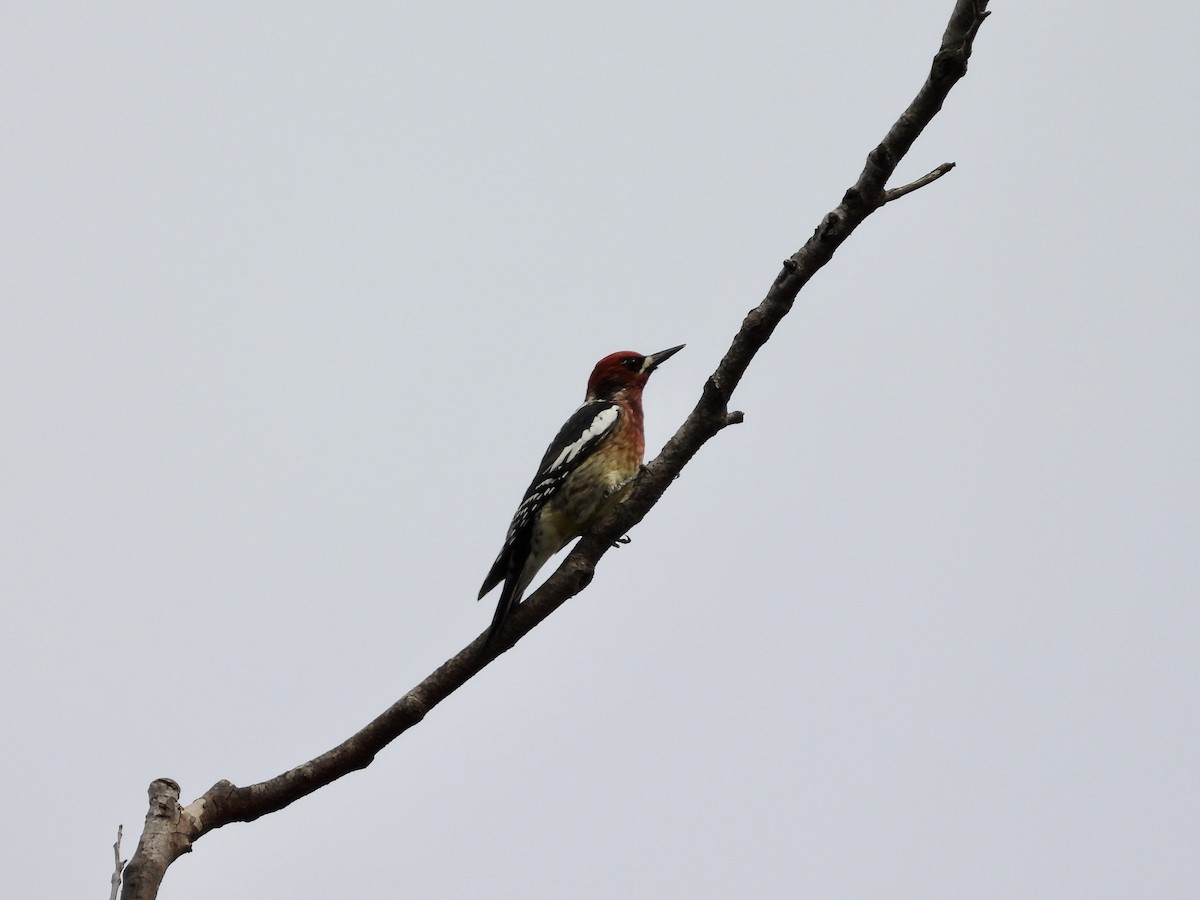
pixel 584 475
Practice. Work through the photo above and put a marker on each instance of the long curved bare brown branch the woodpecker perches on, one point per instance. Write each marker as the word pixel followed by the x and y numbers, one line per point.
pixel 171 830
